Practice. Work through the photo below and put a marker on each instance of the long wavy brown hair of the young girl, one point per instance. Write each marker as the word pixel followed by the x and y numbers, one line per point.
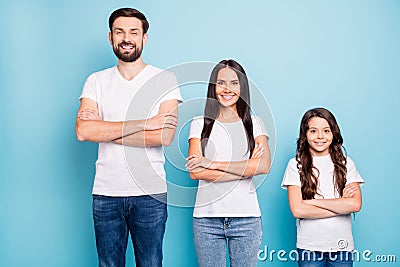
pixel 308 172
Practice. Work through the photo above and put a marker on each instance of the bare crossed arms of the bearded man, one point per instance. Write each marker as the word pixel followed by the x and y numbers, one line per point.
pixel 155 131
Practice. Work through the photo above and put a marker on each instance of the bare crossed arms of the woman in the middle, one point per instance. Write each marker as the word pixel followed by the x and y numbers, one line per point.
pixel 201 168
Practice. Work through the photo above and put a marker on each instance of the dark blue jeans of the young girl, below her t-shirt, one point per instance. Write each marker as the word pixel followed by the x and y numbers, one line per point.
pixel 325 259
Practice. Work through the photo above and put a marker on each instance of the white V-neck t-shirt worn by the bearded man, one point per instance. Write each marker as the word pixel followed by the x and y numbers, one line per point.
pixel 123 170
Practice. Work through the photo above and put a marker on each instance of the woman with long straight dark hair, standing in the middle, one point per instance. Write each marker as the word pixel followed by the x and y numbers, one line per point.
pixel 227 147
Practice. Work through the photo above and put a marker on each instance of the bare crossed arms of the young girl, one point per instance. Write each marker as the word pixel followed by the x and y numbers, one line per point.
pixel 350 202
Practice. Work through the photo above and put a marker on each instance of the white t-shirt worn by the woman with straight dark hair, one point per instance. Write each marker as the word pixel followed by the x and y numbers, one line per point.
pixel 227 142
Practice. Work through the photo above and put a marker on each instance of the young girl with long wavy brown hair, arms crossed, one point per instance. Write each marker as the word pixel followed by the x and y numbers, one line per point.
pixel 324 189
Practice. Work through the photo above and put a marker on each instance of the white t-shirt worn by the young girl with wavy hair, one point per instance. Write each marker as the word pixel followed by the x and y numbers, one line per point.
pixel 327 234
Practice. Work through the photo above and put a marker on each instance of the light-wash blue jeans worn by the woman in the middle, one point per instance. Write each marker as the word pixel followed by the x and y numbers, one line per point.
pixel 242 235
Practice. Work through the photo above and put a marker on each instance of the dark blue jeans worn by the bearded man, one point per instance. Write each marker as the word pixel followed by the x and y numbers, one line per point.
pixel 144 217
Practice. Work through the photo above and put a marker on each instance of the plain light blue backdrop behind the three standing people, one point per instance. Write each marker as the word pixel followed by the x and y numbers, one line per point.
pixel 343 55
